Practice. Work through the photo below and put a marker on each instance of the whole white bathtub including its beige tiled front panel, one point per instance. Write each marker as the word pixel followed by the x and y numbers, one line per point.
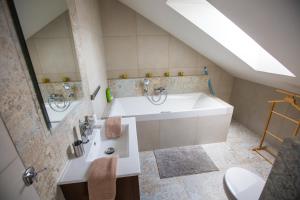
pixel 184 119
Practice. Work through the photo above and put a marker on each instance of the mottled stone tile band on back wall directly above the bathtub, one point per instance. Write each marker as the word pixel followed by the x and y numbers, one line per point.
pixel 174 85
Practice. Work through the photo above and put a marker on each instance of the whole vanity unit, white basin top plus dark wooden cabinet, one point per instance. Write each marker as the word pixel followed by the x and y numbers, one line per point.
pixel 73 180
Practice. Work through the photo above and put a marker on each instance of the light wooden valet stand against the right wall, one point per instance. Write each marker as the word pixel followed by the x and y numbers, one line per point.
pixel 290 98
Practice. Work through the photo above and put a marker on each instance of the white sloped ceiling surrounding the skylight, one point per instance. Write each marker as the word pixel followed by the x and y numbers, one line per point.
pixel 273 24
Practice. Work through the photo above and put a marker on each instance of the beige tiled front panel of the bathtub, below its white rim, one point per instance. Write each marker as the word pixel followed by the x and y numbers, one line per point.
pixel 159 134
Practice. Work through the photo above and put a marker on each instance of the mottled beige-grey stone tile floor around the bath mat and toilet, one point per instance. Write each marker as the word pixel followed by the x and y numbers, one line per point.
pixel 236 151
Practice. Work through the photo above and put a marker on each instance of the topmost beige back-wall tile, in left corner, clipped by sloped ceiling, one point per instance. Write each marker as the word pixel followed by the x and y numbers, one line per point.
pixel 117 19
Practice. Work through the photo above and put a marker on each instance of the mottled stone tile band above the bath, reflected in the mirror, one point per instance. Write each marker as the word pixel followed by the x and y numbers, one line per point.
pixel 58 88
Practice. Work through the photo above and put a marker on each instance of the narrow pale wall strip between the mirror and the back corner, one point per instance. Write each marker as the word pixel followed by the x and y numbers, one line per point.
pixel 89 48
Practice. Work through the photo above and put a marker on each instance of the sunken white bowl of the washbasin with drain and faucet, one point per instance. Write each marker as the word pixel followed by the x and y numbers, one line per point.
pixel 100 143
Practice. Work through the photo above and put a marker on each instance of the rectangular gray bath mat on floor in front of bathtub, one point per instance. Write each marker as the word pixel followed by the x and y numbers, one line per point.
pixel 181 161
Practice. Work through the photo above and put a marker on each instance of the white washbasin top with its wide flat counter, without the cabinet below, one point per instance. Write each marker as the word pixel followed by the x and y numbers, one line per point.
pixel 76 170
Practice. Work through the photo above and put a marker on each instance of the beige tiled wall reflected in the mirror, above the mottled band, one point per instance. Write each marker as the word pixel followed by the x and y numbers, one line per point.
pixel 52 50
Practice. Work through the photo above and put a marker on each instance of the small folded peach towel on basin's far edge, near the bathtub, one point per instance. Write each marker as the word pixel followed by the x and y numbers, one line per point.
pixel 113 127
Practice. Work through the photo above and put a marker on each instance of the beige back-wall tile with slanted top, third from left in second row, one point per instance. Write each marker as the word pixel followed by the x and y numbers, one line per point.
pixel 181 56
